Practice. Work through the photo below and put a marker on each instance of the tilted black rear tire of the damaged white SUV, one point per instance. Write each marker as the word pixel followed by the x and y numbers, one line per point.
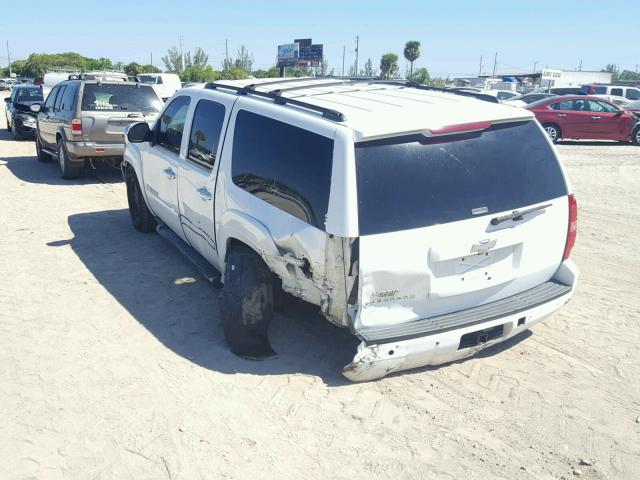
pixel 246 306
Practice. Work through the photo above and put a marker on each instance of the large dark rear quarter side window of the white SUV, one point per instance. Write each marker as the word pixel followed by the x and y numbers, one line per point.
pixel 286 166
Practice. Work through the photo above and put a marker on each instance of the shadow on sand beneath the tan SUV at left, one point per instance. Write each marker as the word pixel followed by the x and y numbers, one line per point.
pixel 28 169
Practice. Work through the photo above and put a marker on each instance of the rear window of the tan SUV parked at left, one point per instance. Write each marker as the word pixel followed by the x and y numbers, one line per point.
pixel 129 98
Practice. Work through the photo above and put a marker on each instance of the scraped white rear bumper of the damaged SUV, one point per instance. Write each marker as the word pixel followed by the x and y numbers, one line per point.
pixel 378 357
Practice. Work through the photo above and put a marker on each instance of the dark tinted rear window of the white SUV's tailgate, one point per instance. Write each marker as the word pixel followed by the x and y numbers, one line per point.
pixel 413 184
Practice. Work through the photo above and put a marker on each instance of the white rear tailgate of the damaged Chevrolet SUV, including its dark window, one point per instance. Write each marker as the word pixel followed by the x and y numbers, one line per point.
pixel 428 246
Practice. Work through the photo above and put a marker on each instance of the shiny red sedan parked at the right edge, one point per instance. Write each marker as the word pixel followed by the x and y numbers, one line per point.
pixel 585 117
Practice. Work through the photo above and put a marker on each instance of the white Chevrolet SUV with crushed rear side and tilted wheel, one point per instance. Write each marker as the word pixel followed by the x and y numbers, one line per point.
pixel 429 223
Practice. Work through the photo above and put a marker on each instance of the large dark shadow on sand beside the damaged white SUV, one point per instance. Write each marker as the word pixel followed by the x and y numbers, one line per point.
pixel 167 295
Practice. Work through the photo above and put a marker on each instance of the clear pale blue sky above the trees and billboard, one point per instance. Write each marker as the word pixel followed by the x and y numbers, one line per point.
pixel 453 34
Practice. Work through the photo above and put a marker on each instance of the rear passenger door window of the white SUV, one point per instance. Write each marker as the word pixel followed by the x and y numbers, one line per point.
pixel 205 132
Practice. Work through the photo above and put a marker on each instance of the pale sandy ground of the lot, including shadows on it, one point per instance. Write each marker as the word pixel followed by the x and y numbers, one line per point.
pixel 113 366
